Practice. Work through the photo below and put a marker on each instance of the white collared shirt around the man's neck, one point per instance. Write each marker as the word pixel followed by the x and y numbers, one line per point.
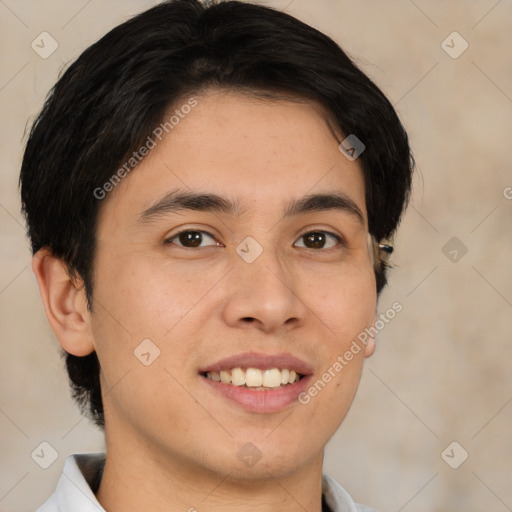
pixel 82 472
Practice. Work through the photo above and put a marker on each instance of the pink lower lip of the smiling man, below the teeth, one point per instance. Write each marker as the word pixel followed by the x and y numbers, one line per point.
pixel 263 401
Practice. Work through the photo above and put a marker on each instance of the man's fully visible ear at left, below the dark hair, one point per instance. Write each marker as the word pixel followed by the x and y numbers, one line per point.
pixel 64 302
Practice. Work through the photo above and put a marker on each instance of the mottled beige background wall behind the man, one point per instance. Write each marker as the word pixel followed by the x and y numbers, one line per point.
pixel 442 369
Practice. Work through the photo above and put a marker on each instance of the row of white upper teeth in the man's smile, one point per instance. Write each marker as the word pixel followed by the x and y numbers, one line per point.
pixel 254 377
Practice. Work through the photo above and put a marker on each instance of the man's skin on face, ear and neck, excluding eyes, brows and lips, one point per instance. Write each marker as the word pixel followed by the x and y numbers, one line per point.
pixel 171 442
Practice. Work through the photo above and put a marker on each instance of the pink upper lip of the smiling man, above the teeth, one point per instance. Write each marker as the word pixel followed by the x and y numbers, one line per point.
pixel 261 361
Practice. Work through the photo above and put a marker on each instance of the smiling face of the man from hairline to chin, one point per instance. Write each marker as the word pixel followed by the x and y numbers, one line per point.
pixel 250 269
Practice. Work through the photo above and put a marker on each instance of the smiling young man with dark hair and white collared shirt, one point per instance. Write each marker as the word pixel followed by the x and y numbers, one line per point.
pixel 208 191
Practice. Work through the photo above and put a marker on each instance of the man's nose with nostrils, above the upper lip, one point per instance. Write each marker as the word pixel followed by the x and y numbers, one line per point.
pixel 264 294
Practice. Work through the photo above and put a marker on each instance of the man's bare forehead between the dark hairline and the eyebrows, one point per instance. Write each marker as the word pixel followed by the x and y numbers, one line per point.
pixel 257 152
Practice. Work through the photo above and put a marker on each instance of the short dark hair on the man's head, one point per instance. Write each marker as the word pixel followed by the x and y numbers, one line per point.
pixel 110 99
